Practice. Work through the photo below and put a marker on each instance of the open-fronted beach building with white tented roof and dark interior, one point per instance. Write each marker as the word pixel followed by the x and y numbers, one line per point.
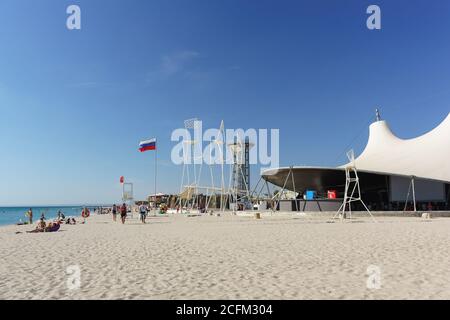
pixel 394 173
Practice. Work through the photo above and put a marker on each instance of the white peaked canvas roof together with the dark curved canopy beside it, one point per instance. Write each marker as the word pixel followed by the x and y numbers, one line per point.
pixel 425 157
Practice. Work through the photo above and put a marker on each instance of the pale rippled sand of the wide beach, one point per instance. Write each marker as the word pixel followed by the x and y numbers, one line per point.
pixel 229 258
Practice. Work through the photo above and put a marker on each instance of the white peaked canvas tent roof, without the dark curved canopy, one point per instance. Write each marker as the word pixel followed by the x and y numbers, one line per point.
pixel 427 156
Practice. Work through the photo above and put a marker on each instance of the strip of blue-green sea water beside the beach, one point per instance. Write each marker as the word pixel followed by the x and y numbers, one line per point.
pixel 12 215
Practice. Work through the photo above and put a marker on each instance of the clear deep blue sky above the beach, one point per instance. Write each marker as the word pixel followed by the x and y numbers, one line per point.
pixel 75 104
